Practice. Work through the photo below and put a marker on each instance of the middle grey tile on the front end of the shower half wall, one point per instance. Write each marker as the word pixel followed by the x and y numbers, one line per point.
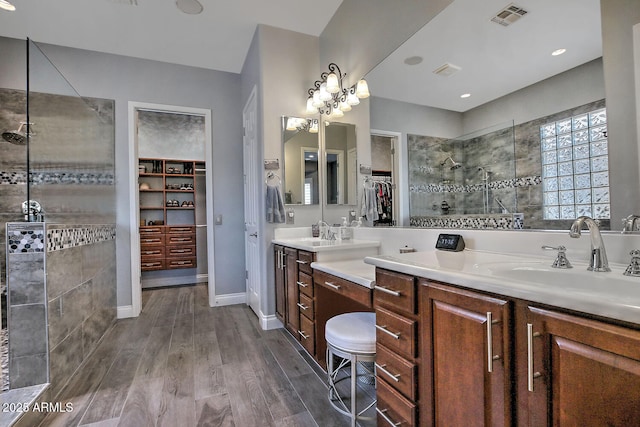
pixel 27 330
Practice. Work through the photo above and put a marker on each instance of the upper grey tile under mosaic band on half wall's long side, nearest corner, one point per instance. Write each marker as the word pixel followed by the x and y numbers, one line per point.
pixel 64 271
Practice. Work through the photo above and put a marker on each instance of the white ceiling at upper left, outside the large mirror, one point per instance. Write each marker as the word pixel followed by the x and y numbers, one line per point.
pixel 218 38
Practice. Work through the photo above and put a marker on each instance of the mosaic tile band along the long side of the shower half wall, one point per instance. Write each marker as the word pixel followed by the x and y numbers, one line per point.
pixel 64 237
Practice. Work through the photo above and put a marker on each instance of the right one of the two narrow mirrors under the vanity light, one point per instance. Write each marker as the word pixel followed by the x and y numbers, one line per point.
pixel 340 163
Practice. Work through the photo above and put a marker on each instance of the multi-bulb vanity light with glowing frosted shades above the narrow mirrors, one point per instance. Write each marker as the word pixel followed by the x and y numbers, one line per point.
pixel 327 96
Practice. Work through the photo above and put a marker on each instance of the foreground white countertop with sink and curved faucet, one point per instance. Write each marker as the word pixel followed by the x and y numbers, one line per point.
pixel 607 294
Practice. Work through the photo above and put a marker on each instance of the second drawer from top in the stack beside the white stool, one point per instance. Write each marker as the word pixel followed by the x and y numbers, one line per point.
pixel 396 332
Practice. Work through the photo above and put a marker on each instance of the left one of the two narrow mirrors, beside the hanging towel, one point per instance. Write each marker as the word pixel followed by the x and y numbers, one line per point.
pixel 301 166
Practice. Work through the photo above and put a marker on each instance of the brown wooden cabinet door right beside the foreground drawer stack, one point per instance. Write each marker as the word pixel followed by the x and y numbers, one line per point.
pixel 469 348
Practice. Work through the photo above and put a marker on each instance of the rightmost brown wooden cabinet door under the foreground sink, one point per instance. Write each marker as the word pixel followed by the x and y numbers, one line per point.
pixel 583 372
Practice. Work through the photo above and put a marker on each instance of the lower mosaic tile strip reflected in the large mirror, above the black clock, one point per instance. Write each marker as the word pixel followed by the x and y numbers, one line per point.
pixel 496 221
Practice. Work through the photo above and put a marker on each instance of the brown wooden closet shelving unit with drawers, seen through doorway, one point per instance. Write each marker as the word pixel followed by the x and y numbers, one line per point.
pixel 167 213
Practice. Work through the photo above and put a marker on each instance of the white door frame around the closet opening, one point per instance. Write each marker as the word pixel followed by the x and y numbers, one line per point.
pixel 134 213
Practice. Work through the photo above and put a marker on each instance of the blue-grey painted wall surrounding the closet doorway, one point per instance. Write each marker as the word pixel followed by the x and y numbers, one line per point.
pixel 127 79
